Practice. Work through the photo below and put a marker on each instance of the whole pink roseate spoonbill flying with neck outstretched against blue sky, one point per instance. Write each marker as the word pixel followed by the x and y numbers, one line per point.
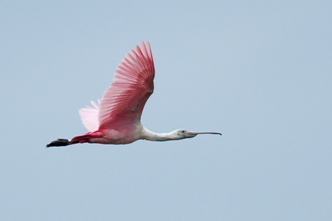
pixel 116 118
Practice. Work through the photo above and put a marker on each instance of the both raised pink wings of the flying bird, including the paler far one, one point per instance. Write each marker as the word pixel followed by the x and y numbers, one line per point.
pixel 123 102
